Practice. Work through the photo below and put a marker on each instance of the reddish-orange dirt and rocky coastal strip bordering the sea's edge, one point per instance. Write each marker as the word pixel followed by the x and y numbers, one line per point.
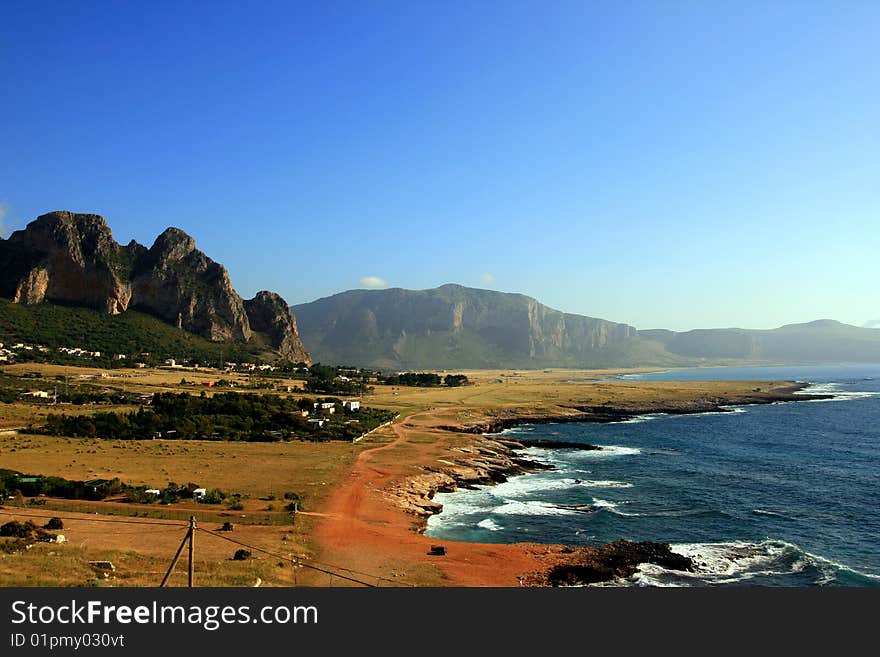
pixel 374 519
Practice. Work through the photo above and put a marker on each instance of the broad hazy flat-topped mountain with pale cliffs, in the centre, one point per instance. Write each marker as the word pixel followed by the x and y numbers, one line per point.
pixel 453 327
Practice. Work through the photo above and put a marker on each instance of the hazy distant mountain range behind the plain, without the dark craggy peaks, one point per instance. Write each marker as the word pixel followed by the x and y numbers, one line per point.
pixel 455 327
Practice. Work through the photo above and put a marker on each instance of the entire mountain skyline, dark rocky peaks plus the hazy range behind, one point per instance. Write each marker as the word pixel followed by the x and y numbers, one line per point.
pixel 72 259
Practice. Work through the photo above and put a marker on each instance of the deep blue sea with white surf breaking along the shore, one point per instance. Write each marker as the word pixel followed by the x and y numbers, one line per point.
pixel 784 494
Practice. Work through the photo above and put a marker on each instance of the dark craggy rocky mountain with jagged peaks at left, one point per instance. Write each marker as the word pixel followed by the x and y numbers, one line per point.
pixel 72 259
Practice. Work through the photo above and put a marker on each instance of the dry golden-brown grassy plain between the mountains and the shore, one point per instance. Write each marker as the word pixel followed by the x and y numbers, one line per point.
pixel 141 543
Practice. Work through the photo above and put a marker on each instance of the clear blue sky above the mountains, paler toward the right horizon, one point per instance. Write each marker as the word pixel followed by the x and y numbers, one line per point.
pixel 678 164
